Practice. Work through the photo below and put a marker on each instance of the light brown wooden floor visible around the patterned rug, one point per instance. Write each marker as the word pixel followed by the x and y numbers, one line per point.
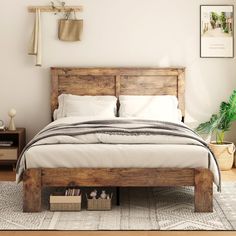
pixel 6 174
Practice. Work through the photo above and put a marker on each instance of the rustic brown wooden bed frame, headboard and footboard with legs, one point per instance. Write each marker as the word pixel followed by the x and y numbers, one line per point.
pixel 118 81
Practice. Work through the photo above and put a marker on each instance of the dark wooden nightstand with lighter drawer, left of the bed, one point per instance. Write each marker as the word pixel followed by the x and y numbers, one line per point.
pixel 9 154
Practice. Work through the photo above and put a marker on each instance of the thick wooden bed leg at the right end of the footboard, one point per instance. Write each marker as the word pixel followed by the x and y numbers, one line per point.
pixel 203 191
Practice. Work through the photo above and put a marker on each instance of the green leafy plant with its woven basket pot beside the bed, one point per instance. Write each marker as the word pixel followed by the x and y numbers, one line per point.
pixel 219 124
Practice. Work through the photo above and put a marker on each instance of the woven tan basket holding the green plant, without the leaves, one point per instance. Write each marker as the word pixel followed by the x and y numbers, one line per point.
pixel 224 154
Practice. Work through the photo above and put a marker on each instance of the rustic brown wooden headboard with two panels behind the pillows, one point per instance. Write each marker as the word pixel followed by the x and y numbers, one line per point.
pixel 118 81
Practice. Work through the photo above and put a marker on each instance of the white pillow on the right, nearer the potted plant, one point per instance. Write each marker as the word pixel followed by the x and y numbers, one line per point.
pixel 164 108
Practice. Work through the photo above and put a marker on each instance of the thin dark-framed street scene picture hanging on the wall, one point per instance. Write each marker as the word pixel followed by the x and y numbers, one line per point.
pixel 217 31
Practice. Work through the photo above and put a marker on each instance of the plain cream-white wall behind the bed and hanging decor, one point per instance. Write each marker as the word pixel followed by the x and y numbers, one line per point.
pixel 116 33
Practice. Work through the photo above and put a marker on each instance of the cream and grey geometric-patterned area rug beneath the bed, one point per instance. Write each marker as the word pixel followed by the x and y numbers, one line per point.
pixel 140 209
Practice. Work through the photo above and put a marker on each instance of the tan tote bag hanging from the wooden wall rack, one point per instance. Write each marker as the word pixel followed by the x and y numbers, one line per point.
pixel 70 29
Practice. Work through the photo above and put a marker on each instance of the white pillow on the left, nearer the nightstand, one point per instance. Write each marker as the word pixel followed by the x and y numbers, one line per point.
pixel 97 106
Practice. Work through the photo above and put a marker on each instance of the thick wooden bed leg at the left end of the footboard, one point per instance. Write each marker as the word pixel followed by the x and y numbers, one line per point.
pixel 32 190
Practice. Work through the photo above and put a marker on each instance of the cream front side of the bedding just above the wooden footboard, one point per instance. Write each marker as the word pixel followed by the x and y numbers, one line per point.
pixel 116 156
